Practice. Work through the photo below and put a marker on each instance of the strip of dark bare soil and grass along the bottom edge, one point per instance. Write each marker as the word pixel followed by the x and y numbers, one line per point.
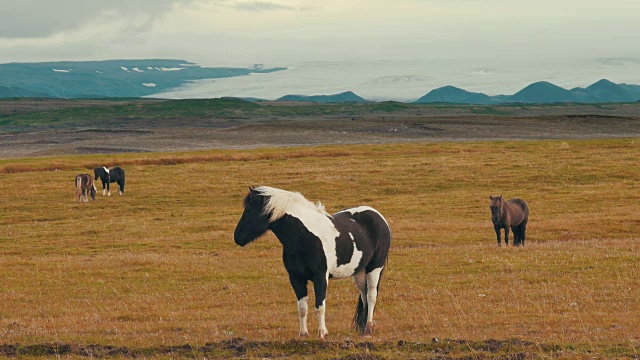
pixel 345 350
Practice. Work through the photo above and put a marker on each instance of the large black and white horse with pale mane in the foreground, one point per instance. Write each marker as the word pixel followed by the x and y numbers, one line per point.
pixel 318 246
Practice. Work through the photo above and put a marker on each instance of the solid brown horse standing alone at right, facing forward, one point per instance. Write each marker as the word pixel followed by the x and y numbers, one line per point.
pixel 513 214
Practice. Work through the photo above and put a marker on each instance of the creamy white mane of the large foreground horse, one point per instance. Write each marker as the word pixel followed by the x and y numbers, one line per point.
pixel 281 202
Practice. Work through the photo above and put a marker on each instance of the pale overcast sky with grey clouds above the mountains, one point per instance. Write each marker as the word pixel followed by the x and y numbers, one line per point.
pixel 279 32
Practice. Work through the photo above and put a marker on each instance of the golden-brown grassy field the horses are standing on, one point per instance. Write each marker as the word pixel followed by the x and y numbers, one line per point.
pixel 157 268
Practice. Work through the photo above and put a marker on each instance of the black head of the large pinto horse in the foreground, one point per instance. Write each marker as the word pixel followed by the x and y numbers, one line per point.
pixel 253 222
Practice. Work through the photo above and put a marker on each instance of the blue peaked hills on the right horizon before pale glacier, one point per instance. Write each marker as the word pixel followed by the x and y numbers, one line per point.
pixel 542 92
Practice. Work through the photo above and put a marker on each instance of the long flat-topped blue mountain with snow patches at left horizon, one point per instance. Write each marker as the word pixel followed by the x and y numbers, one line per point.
pixel 110 78
